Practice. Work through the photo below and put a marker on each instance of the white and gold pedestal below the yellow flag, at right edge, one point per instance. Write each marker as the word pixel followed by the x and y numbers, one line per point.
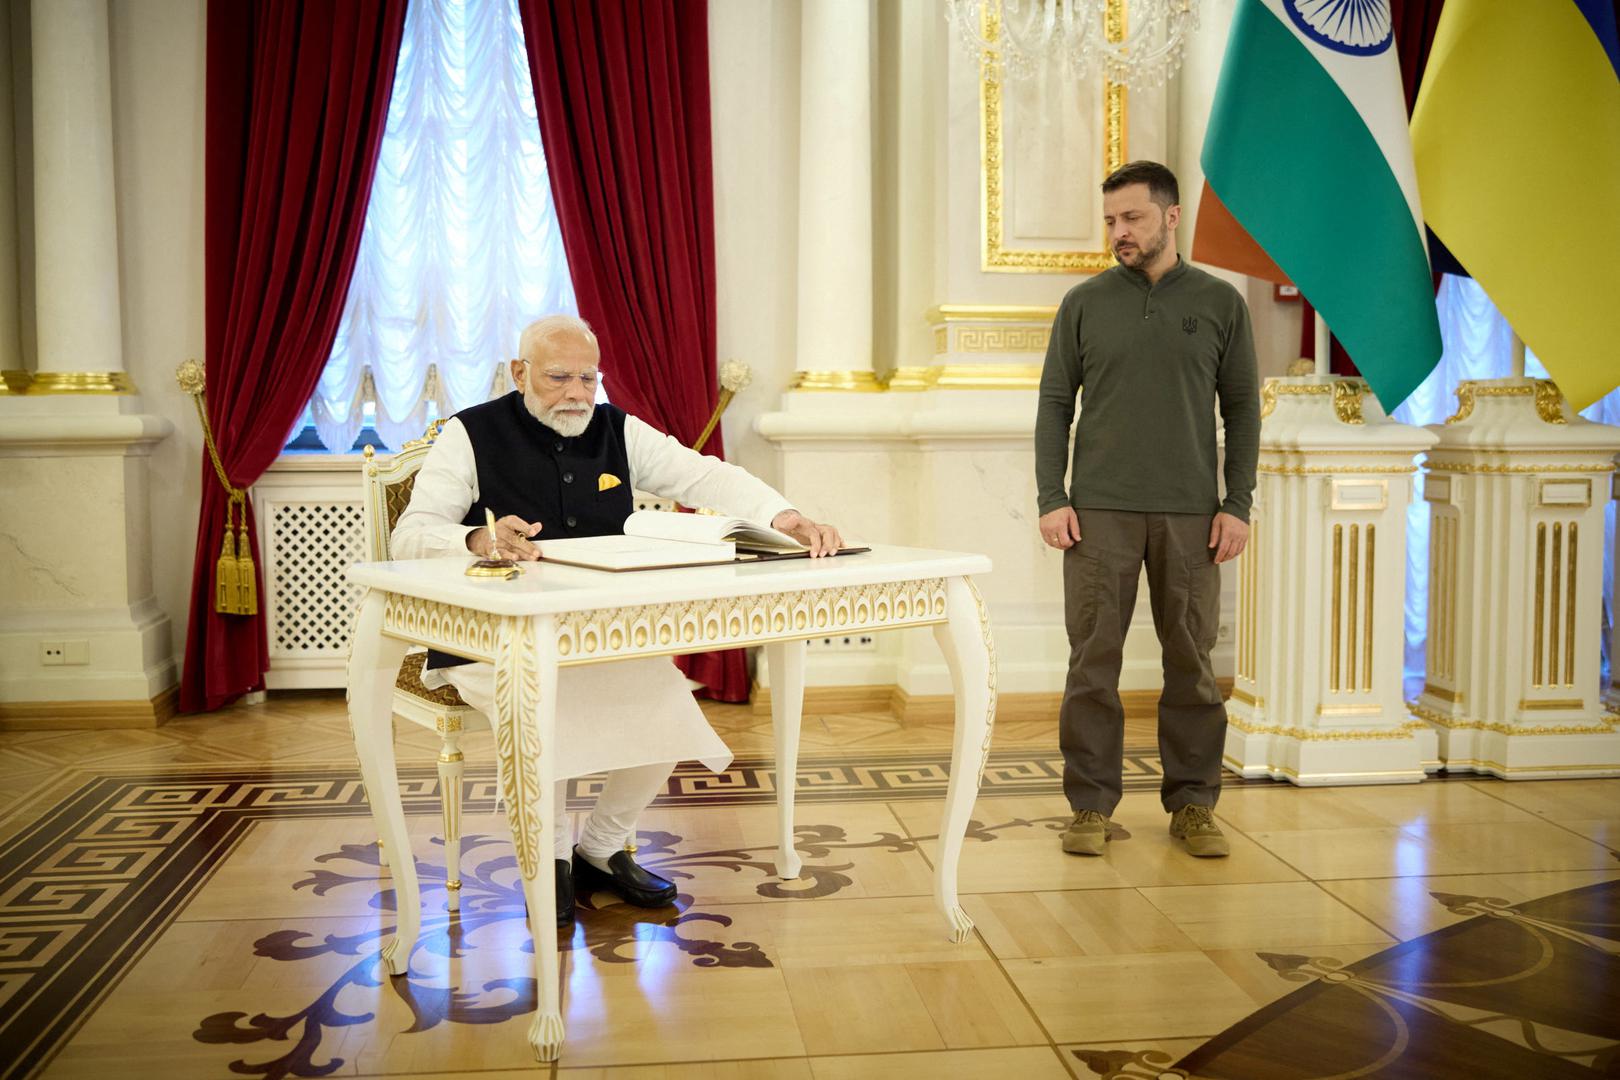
pixel 1517 490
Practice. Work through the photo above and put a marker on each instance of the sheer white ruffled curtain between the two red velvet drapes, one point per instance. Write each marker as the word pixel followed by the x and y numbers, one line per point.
pixel 461 245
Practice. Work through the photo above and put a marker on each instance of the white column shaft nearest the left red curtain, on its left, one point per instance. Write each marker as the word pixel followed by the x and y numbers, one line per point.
pixel 75 218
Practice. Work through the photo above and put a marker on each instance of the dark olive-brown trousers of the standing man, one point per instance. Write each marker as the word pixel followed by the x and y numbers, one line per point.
pixel 1099 589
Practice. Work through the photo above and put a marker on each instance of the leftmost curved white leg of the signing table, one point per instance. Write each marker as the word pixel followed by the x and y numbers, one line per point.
pixel 373 668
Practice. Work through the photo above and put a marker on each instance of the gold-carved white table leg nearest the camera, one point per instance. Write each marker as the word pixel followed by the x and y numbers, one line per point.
pixel 526 720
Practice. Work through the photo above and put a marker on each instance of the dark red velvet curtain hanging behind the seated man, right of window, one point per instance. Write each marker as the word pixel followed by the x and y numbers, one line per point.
pixel 625 113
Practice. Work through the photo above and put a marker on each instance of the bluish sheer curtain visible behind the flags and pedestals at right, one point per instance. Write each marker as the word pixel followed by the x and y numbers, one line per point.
pixel 1478 346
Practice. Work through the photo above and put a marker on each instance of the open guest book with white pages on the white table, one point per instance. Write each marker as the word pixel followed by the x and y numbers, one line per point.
pixel 657 540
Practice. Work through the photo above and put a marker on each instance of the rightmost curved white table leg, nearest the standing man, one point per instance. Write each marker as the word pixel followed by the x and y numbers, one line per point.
pixel 971 657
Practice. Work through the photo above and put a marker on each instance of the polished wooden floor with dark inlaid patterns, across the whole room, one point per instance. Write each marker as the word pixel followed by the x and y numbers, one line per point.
pixel 174 921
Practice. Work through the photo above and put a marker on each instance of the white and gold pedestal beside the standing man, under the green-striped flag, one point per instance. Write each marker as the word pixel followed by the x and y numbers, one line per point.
pixel 1321 624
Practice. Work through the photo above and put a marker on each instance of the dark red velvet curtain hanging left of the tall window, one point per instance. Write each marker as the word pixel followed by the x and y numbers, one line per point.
pixel 297 101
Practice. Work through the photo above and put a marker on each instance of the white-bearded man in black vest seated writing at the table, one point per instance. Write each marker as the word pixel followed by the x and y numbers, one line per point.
pixel 548 461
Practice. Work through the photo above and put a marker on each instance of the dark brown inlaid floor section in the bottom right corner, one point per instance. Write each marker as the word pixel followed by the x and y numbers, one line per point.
pixel 1519 990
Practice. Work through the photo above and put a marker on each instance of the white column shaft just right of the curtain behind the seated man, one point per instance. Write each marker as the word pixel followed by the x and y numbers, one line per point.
pixel 835 197
